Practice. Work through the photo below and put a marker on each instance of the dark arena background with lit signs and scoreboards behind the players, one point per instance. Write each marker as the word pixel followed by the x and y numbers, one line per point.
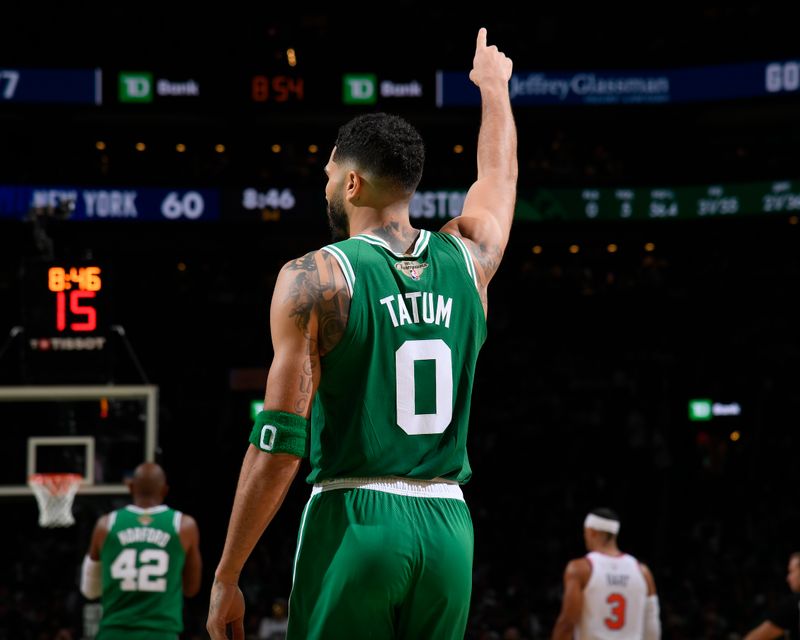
pixel 157 170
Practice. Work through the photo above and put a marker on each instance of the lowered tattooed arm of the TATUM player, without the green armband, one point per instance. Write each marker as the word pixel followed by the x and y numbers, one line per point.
pixel 308 312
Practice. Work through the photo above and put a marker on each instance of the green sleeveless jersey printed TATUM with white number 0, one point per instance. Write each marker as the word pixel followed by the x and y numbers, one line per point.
pixel 394 396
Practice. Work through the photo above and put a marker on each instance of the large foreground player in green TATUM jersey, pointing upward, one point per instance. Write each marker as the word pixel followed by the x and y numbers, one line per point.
pixel 375 340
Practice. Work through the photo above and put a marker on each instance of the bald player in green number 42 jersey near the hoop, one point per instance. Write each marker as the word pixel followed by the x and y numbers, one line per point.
pixel 142 560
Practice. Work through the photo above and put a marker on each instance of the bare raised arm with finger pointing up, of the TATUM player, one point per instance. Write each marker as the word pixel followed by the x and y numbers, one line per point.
pixel 485 221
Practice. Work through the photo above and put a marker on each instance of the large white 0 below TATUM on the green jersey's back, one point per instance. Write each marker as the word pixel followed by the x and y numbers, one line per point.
pixel 424 370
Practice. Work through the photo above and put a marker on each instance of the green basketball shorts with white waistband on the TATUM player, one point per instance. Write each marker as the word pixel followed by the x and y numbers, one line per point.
pixel 382 558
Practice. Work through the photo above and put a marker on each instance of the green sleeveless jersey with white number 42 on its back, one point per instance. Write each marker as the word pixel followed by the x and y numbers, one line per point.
pixel 142 559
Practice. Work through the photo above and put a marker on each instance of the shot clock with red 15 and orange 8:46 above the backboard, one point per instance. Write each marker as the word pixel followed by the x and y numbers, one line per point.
pixel 66 318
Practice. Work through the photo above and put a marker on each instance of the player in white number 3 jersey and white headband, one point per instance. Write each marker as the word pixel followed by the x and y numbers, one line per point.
pixel 608 594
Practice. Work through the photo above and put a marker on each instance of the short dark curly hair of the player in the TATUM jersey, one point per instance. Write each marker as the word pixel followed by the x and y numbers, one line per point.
pixel 384 144
